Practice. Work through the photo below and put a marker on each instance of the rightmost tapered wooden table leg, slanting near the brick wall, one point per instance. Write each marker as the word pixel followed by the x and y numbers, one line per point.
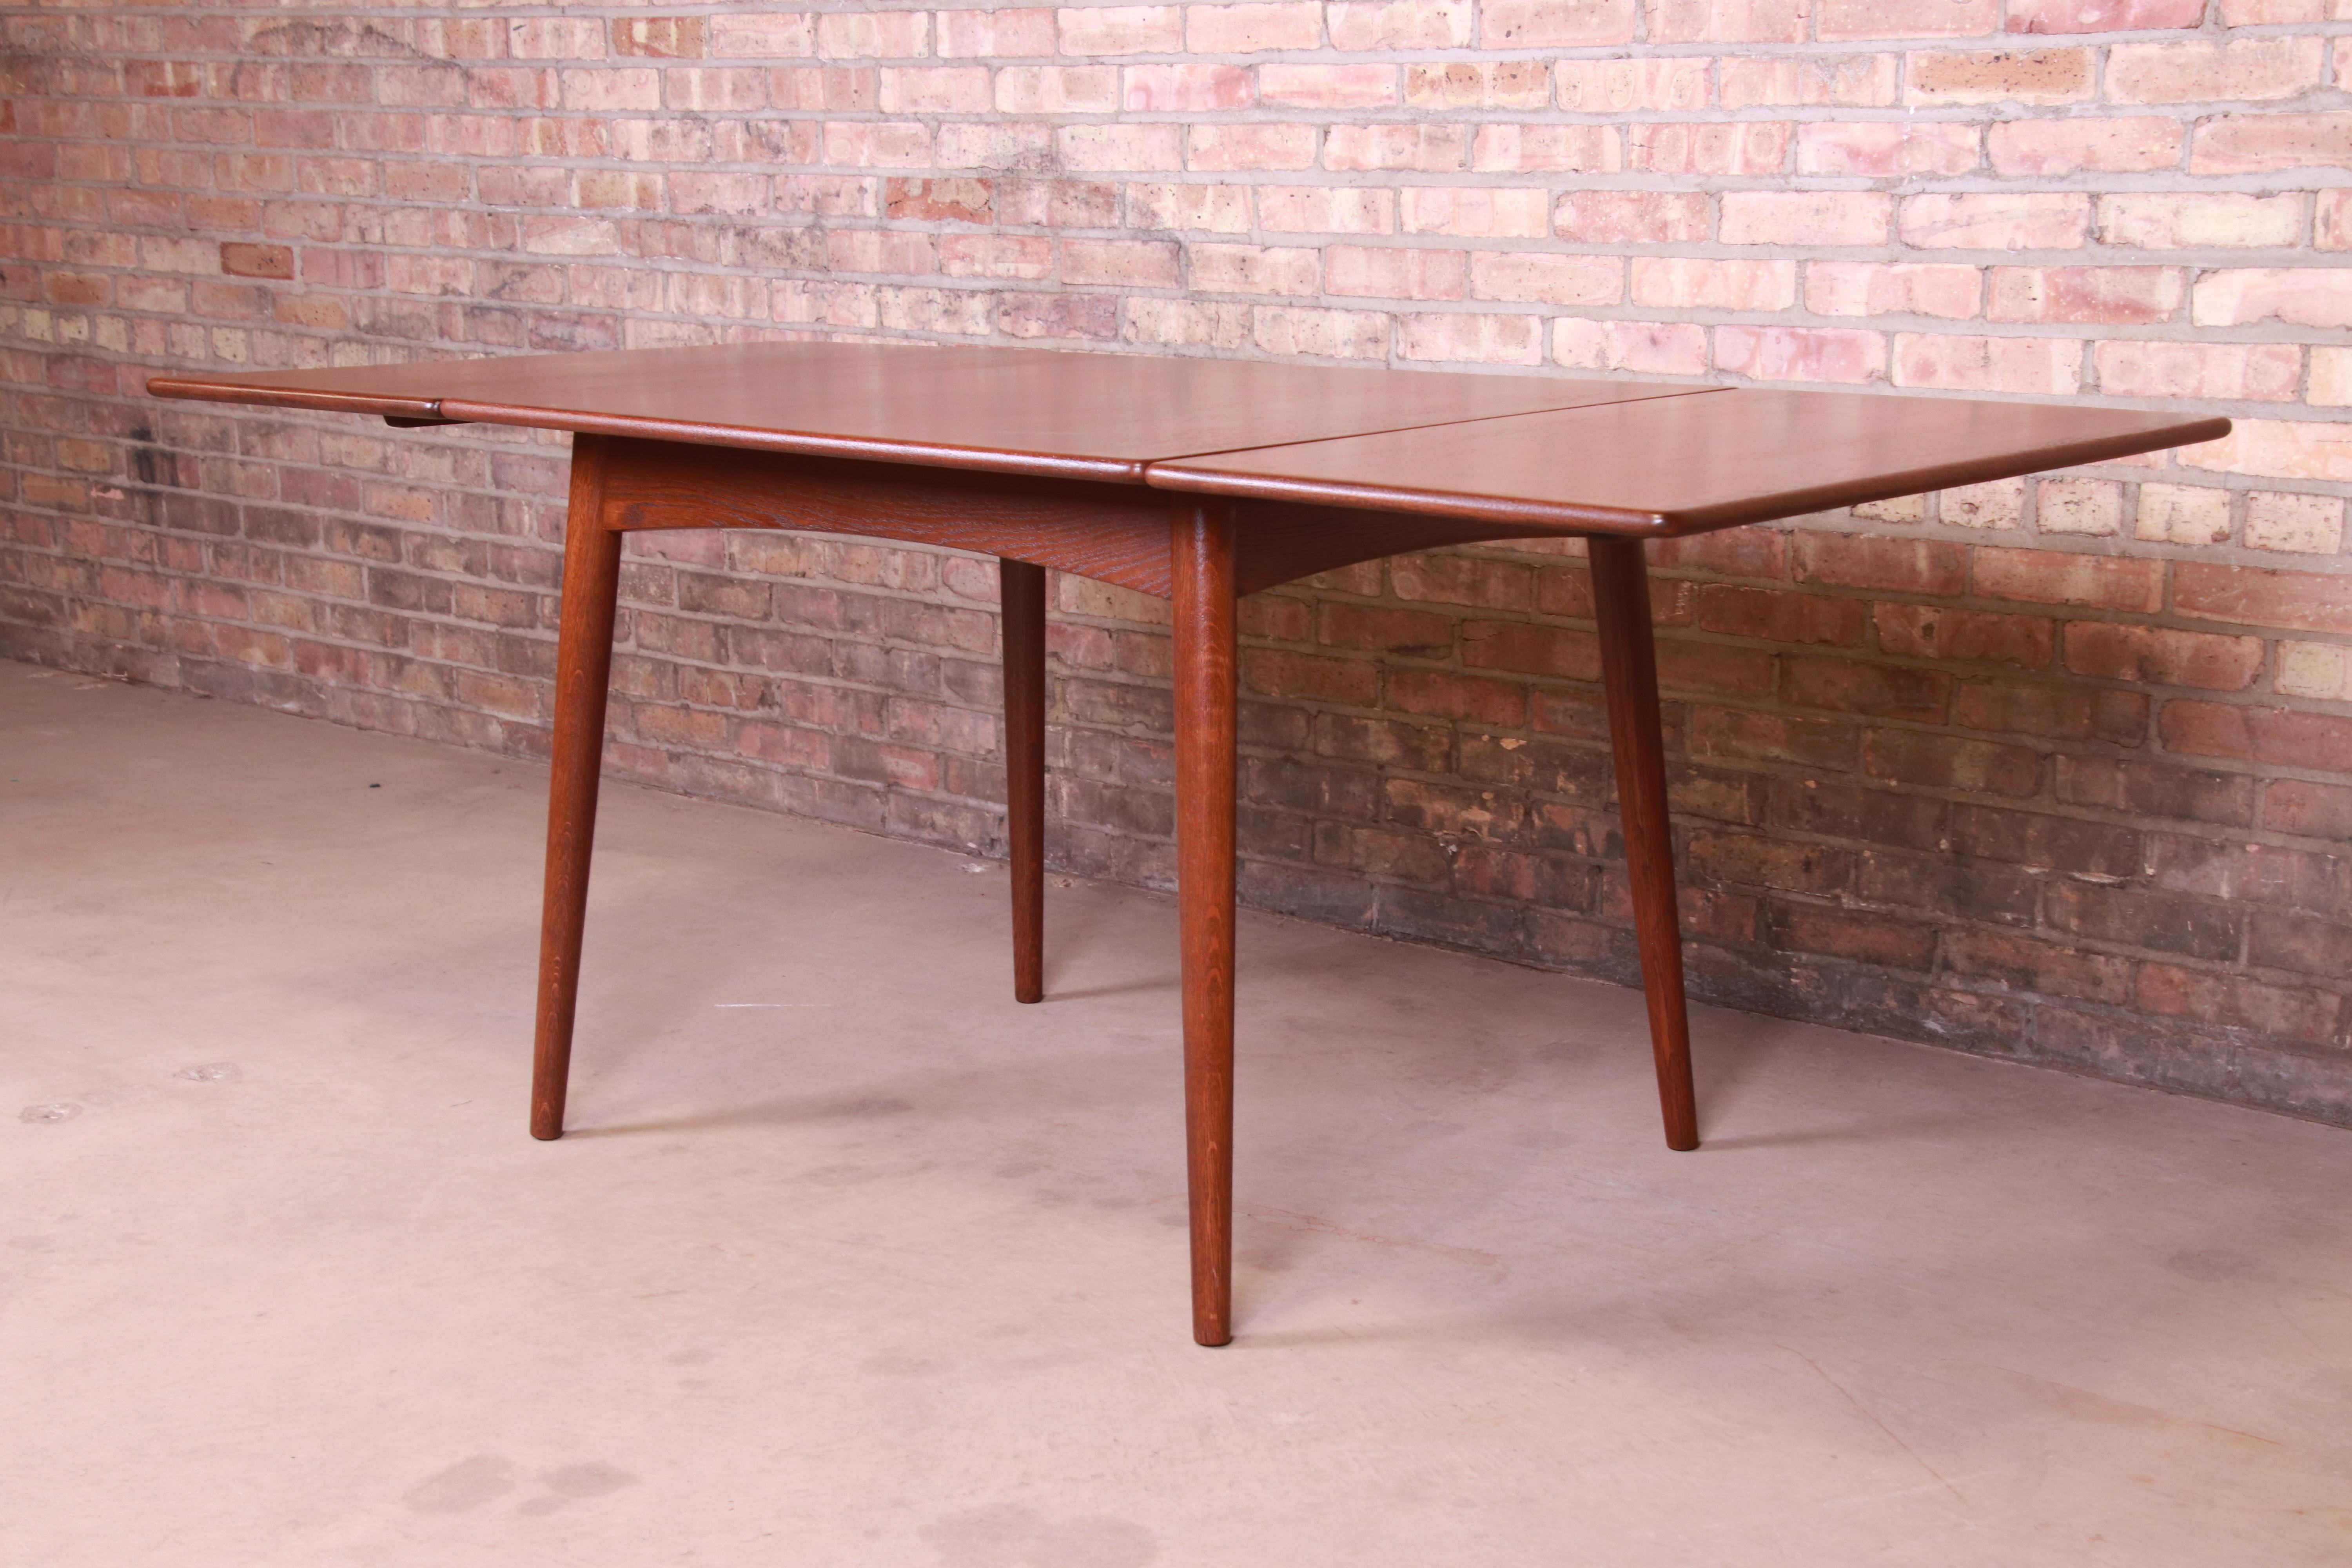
pixel 1631 678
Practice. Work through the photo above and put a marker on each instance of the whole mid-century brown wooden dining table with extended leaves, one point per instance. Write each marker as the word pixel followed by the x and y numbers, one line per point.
pixel 1196 481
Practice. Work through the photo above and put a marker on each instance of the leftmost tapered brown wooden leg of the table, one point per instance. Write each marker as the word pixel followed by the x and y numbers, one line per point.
pixel 582 676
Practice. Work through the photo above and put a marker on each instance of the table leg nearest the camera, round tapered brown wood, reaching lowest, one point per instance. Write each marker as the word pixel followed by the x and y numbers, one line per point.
pixel 1205 760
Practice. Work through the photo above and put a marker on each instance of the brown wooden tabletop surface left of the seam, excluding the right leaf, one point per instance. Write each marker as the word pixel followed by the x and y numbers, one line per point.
pixel 1010 410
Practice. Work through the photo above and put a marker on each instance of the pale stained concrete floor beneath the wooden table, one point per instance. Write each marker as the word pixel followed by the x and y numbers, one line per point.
pixel 855 1261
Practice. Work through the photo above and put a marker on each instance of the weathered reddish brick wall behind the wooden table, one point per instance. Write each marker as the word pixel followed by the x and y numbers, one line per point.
pixel 2057 770
